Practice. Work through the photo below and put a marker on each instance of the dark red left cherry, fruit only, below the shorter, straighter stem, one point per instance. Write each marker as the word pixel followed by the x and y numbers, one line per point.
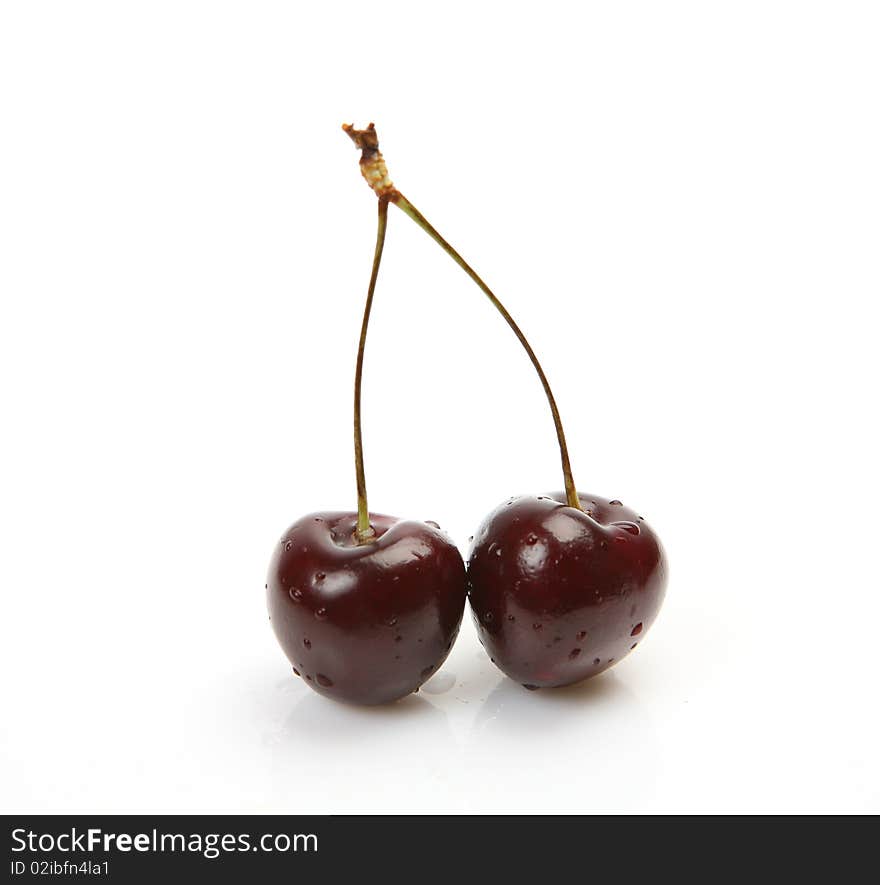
pixel 365 623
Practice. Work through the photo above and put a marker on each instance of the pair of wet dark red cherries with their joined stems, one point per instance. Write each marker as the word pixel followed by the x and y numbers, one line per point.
pixel 367 607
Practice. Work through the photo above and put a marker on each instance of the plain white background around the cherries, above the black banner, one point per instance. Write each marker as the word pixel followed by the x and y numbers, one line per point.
pixel 679 203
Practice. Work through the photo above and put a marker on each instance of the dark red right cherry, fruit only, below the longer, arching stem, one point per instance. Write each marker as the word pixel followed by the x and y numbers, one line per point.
pixel 559 595
